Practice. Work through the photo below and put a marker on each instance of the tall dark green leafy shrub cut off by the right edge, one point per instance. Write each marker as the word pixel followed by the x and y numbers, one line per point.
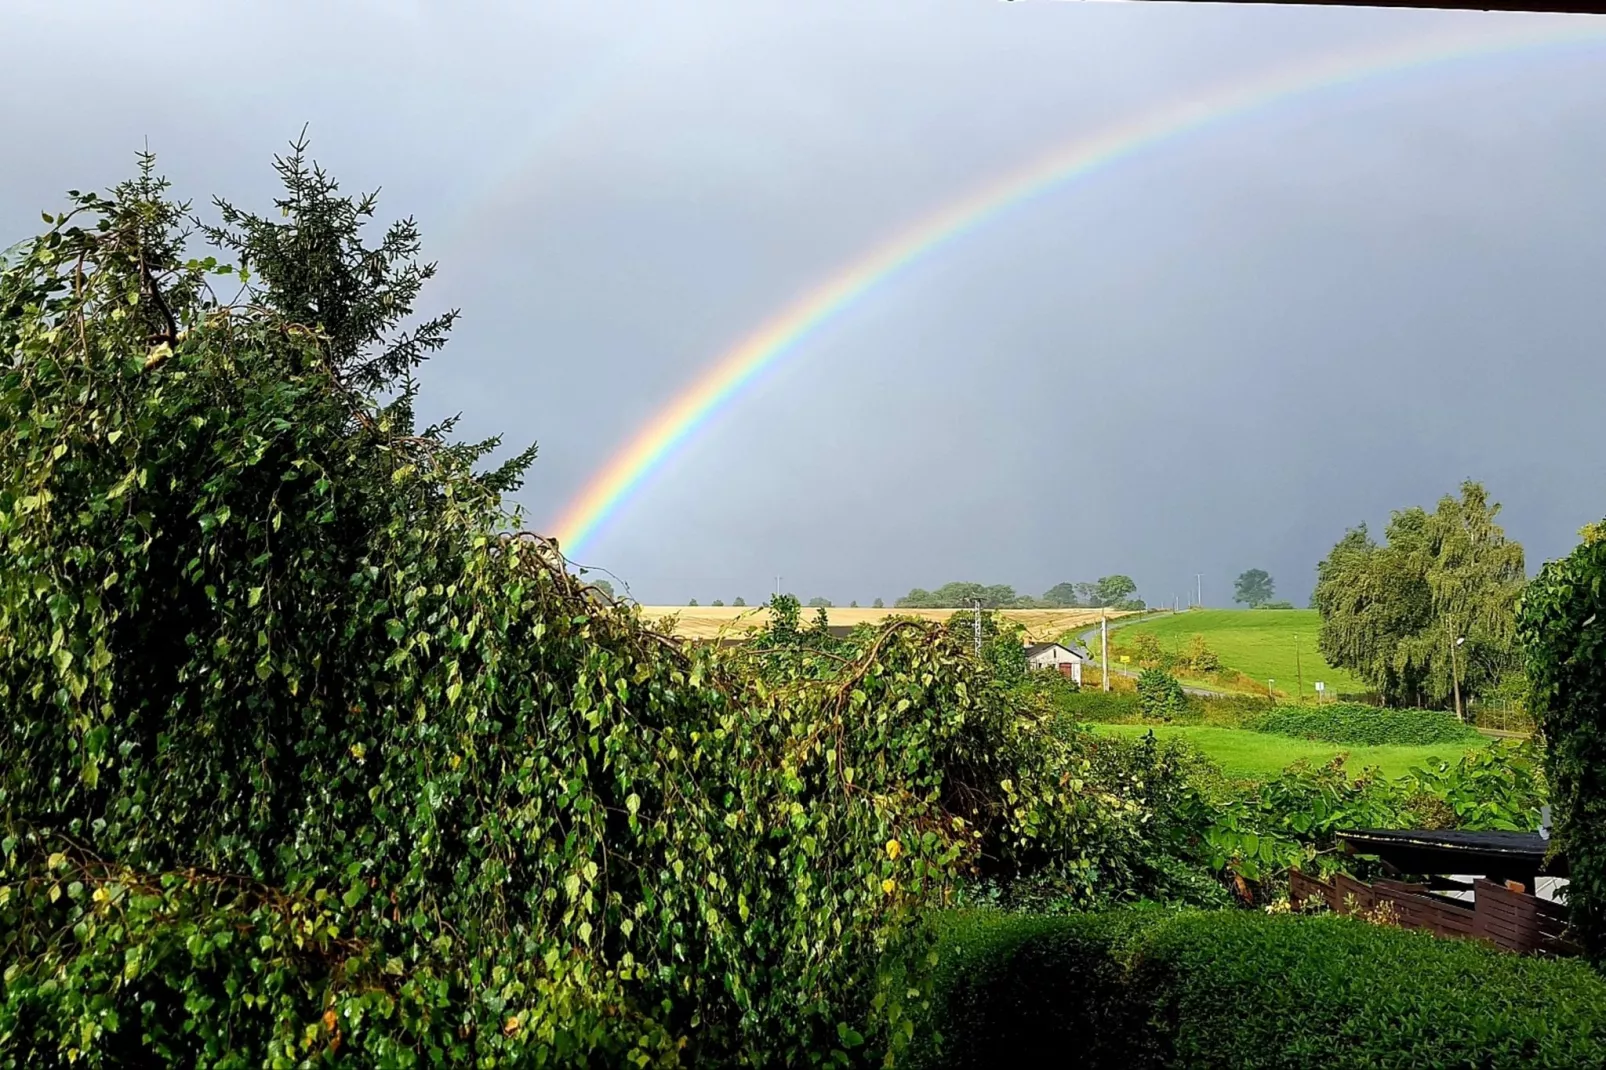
pixel 1560 627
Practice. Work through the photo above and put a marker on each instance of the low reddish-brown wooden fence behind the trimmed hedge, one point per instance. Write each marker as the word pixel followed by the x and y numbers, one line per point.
pixel 1502 917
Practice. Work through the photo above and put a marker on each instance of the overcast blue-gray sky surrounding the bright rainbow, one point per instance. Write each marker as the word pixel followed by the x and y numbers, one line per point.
pixel 1210 357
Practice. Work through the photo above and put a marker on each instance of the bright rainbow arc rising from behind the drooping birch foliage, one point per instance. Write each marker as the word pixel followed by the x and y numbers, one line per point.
pixel 611 489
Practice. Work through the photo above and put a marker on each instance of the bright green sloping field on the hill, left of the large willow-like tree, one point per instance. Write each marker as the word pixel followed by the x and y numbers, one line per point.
pixel 1260 643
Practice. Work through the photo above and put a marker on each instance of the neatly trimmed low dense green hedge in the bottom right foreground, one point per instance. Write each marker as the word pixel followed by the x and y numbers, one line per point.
pixel 1245 990
